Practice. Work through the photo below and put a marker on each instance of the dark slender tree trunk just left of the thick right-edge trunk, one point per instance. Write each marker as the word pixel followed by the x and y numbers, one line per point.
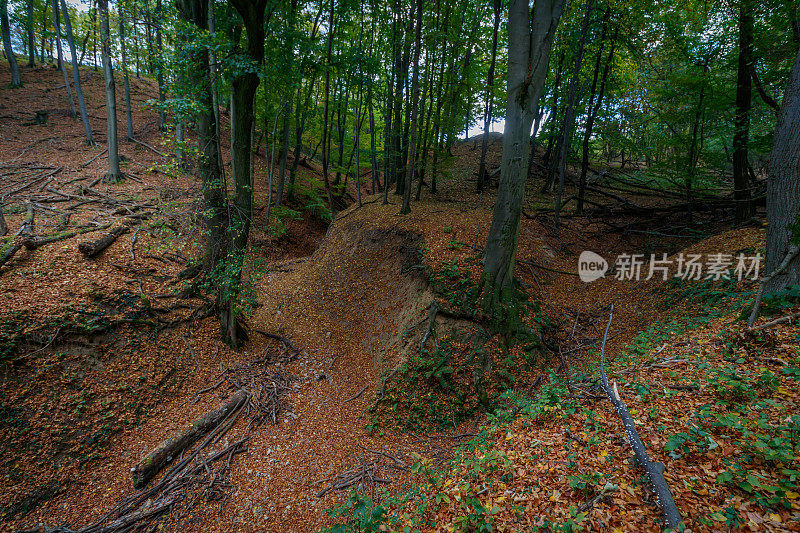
pixel 741 186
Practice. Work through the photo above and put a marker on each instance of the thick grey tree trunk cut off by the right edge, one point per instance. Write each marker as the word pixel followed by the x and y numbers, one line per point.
pixel 783 188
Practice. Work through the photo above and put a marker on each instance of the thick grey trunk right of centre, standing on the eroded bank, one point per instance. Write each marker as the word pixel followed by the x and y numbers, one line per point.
pixel 530 41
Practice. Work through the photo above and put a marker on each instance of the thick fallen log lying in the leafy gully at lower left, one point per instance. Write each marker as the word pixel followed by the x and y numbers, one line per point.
pixel 170 448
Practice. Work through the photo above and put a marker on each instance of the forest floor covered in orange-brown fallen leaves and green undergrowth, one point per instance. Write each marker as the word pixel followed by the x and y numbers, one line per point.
pixel 102 358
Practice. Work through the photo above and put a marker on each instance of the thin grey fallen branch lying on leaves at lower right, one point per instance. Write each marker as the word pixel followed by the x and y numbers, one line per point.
pixel 654 469
